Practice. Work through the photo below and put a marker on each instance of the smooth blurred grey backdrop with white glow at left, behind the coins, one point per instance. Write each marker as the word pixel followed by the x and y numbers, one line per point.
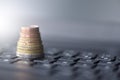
pixel 62 22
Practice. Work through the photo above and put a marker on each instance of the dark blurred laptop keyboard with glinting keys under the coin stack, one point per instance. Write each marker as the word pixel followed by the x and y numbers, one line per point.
pixel 70 64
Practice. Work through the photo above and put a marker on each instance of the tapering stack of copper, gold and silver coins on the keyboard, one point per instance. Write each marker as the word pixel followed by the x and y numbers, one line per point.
pixel 30 44
